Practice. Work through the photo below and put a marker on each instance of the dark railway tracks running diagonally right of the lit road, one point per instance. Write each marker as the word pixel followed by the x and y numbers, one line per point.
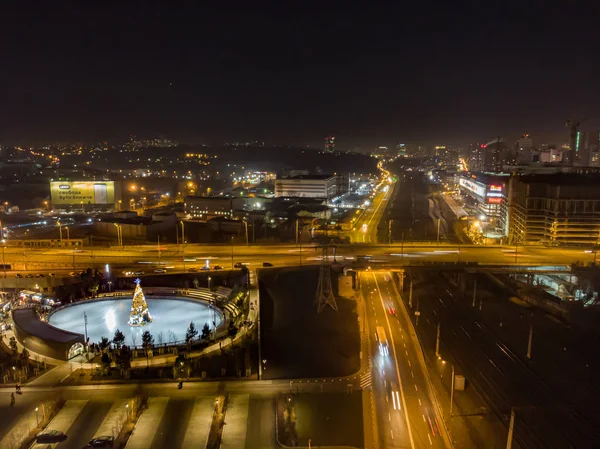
pixel 500 376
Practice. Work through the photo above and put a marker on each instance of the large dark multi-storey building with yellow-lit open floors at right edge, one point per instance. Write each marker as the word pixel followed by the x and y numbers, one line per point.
pixel 557 208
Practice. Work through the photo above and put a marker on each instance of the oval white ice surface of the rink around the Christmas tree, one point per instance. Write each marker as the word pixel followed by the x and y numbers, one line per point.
pixel 105 317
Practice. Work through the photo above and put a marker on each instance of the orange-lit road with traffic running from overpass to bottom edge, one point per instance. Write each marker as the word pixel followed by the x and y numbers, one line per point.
pixel 405 413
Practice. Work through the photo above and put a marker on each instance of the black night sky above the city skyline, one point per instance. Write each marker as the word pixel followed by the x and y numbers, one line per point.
pixel 446 72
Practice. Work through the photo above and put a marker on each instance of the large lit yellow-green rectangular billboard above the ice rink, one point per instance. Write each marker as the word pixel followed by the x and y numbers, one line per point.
pixel 82 192
